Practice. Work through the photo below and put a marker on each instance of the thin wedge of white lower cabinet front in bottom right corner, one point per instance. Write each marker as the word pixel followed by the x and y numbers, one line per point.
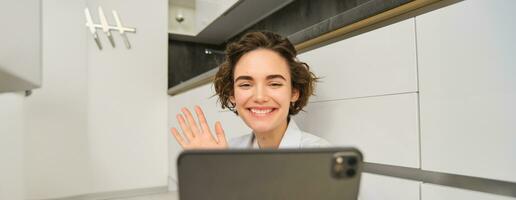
pixel 438 192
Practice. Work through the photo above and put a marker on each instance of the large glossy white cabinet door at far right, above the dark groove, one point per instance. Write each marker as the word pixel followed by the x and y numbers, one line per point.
pixel 468 89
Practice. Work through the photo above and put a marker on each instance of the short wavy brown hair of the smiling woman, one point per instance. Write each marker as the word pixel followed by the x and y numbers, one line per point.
pixel 302 79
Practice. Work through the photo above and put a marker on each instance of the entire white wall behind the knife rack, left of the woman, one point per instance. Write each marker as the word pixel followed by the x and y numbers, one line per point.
pixel 99 123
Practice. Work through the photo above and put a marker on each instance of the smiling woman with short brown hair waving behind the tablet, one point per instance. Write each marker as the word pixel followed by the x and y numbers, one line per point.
pixel 261 81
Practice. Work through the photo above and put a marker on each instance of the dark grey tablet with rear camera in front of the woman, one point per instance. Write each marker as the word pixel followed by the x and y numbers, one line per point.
pixel 246 174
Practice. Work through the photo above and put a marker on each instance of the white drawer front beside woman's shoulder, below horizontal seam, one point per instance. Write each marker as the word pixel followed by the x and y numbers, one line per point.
pixel 384 128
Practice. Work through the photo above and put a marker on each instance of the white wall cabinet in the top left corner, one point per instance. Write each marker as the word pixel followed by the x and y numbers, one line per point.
pixel 20 45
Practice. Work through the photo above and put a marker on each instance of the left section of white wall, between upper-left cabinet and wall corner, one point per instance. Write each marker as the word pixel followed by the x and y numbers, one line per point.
pixel 56 115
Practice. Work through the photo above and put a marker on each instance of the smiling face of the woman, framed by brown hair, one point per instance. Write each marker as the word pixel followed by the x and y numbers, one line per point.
pixel 263 90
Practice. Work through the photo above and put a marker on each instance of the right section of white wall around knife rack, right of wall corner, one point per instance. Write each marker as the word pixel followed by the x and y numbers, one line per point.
pixel 127 99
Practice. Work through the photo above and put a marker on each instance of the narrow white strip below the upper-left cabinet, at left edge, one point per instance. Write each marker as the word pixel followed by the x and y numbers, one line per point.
pixel 11 146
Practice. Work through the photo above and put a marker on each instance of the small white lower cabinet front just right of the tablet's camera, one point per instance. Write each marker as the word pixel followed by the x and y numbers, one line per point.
pixel 373 187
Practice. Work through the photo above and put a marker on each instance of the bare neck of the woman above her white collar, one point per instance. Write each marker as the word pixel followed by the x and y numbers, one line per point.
pixel 271 139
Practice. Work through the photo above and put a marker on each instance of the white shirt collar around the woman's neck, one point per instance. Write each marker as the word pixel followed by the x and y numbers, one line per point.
pixel 291 138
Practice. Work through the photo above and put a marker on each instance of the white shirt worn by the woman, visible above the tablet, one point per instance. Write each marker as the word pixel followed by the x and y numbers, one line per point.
pixel 293 138
